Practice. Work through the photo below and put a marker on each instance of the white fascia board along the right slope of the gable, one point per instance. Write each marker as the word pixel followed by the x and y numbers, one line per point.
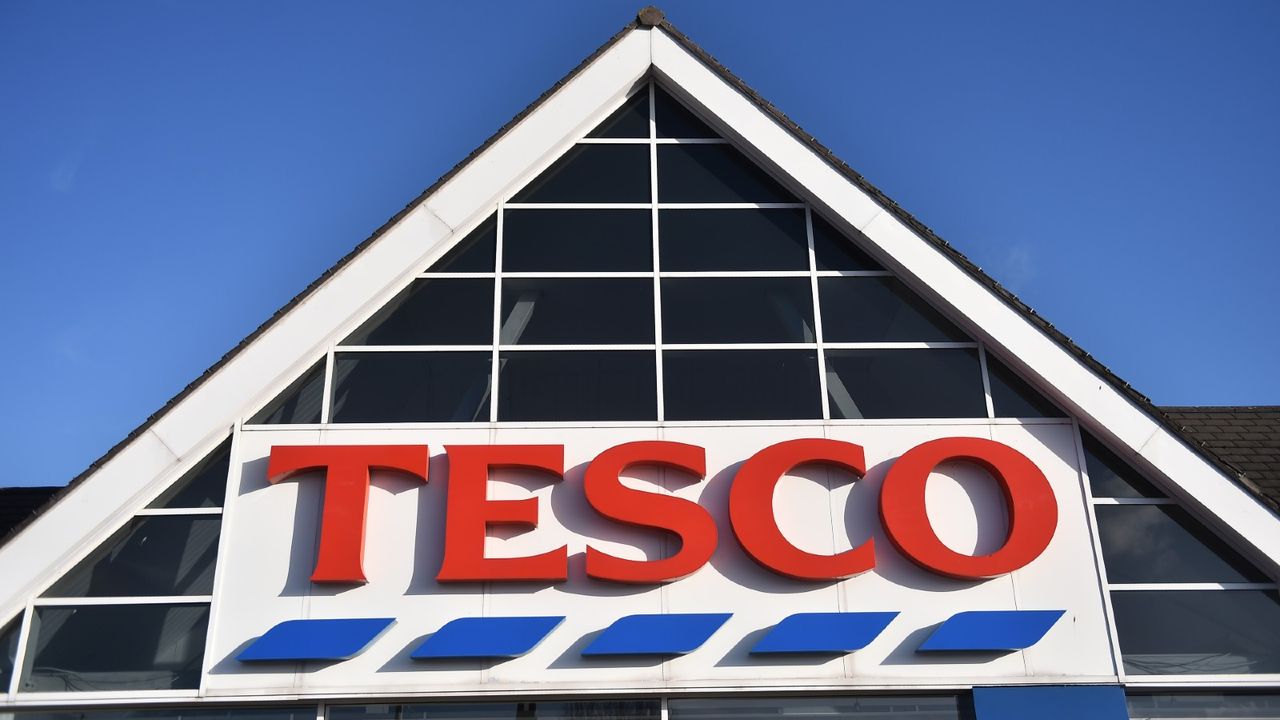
pixel 1089 395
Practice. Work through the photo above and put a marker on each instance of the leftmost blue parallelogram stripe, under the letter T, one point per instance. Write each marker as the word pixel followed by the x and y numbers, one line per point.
pixel 316 640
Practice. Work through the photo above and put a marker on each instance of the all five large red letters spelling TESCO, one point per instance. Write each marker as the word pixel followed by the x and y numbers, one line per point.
pixel 470 513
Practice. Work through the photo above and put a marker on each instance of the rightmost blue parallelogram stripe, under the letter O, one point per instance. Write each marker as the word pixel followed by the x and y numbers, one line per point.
pixel 991 631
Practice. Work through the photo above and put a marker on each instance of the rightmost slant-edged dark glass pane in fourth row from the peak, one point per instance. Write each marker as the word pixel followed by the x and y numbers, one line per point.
pixel 880 311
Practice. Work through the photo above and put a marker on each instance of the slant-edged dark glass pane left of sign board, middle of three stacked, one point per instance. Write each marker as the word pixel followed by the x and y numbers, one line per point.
pixel 154 555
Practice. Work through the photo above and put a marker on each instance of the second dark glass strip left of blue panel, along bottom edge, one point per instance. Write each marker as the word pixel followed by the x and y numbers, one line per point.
pixel 584 710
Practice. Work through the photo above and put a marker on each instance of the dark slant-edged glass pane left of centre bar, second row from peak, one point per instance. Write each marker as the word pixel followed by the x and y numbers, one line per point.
pixel 593 174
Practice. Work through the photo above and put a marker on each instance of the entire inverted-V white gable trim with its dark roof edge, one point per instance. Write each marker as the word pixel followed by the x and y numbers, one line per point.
pixel 289 344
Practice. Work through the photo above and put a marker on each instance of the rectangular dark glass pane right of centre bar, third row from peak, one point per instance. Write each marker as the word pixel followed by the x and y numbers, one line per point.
pixel 733 240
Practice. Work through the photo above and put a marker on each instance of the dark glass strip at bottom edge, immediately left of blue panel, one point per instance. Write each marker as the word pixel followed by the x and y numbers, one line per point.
pixel 863 708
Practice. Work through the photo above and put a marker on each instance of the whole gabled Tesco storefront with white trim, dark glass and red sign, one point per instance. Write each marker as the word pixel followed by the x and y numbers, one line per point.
pixel 651 409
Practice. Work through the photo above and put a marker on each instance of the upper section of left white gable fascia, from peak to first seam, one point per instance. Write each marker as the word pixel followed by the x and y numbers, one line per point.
pixel 563 119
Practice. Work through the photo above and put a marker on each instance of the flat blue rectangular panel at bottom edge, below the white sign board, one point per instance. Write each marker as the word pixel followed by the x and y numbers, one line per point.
pixel 1050 703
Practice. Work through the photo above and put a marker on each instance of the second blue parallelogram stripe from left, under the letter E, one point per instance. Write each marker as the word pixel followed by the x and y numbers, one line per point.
pixel 487 637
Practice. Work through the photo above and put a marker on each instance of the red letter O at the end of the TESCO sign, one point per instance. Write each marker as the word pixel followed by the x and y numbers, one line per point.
pixel 1032 508
